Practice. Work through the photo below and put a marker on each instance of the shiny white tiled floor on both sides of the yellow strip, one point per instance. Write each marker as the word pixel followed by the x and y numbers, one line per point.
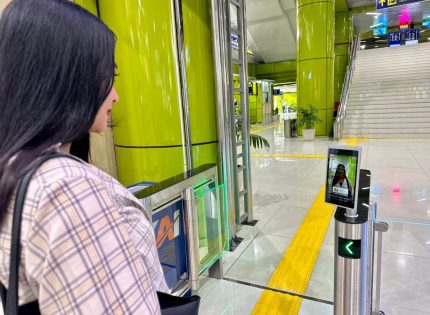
pixel 284 188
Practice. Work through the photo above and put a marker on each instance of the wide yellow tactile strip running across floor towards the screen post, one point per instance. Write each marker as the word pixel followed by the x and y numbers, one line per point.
pixel 295 268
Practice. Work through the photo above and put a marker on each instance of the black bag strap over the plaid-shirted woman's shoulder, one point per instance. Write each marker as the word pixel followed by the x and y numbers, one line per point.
pixel 12 292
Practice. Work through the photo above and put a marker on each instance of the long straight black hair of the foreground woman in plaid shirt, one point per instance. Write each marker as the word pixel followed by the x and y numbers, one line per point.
pixel 56 69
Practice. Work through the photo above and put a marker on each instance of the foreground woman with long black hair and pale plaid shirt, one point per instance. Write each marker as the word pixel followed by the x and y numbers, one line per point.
pixel 86 244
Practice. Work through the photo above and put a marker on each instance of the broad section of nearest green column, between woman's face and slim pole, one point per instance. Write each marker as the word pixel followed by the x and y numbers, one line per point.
pixel 148 131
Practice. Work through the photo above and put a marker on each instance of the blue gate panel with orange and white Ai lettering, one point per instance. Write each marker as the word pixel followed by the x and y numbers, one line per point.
pixel 171 242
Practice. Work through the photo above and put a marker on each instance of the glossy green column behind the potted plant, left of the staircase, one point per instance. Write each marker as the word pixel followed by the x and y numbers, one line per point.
pixel 315 59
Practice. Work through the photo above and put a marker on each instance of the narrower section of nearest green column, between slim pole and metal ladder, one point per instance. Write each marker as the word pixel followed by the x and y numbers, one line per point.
pixel 200 80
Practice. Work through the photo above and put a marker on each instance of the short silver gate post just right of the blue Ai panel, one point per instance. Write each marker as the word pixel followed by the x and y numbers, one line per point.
pixel 192 237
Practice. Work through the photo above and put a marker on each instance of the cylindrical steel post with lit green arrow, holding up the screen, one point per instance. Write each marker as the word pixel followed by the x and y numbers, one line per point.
pixel 353 254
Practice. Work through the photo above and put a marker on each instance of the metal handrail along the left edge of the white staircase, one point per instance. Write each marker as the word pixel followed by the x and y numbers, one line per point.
pixel 341 113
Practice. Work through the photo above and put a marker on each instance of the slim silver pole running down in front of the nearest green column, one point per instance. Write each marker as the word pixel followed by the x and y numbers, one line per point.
pixel 179 31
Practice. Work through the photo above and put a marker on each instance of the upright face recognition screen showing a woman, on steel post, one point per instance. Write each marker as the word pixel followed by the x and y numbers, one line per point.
pixel 342 176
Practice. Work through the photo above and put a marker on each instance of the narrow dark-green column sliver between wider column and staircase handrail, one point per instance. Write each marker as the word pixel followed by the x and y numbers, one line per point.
pixel 343 37
